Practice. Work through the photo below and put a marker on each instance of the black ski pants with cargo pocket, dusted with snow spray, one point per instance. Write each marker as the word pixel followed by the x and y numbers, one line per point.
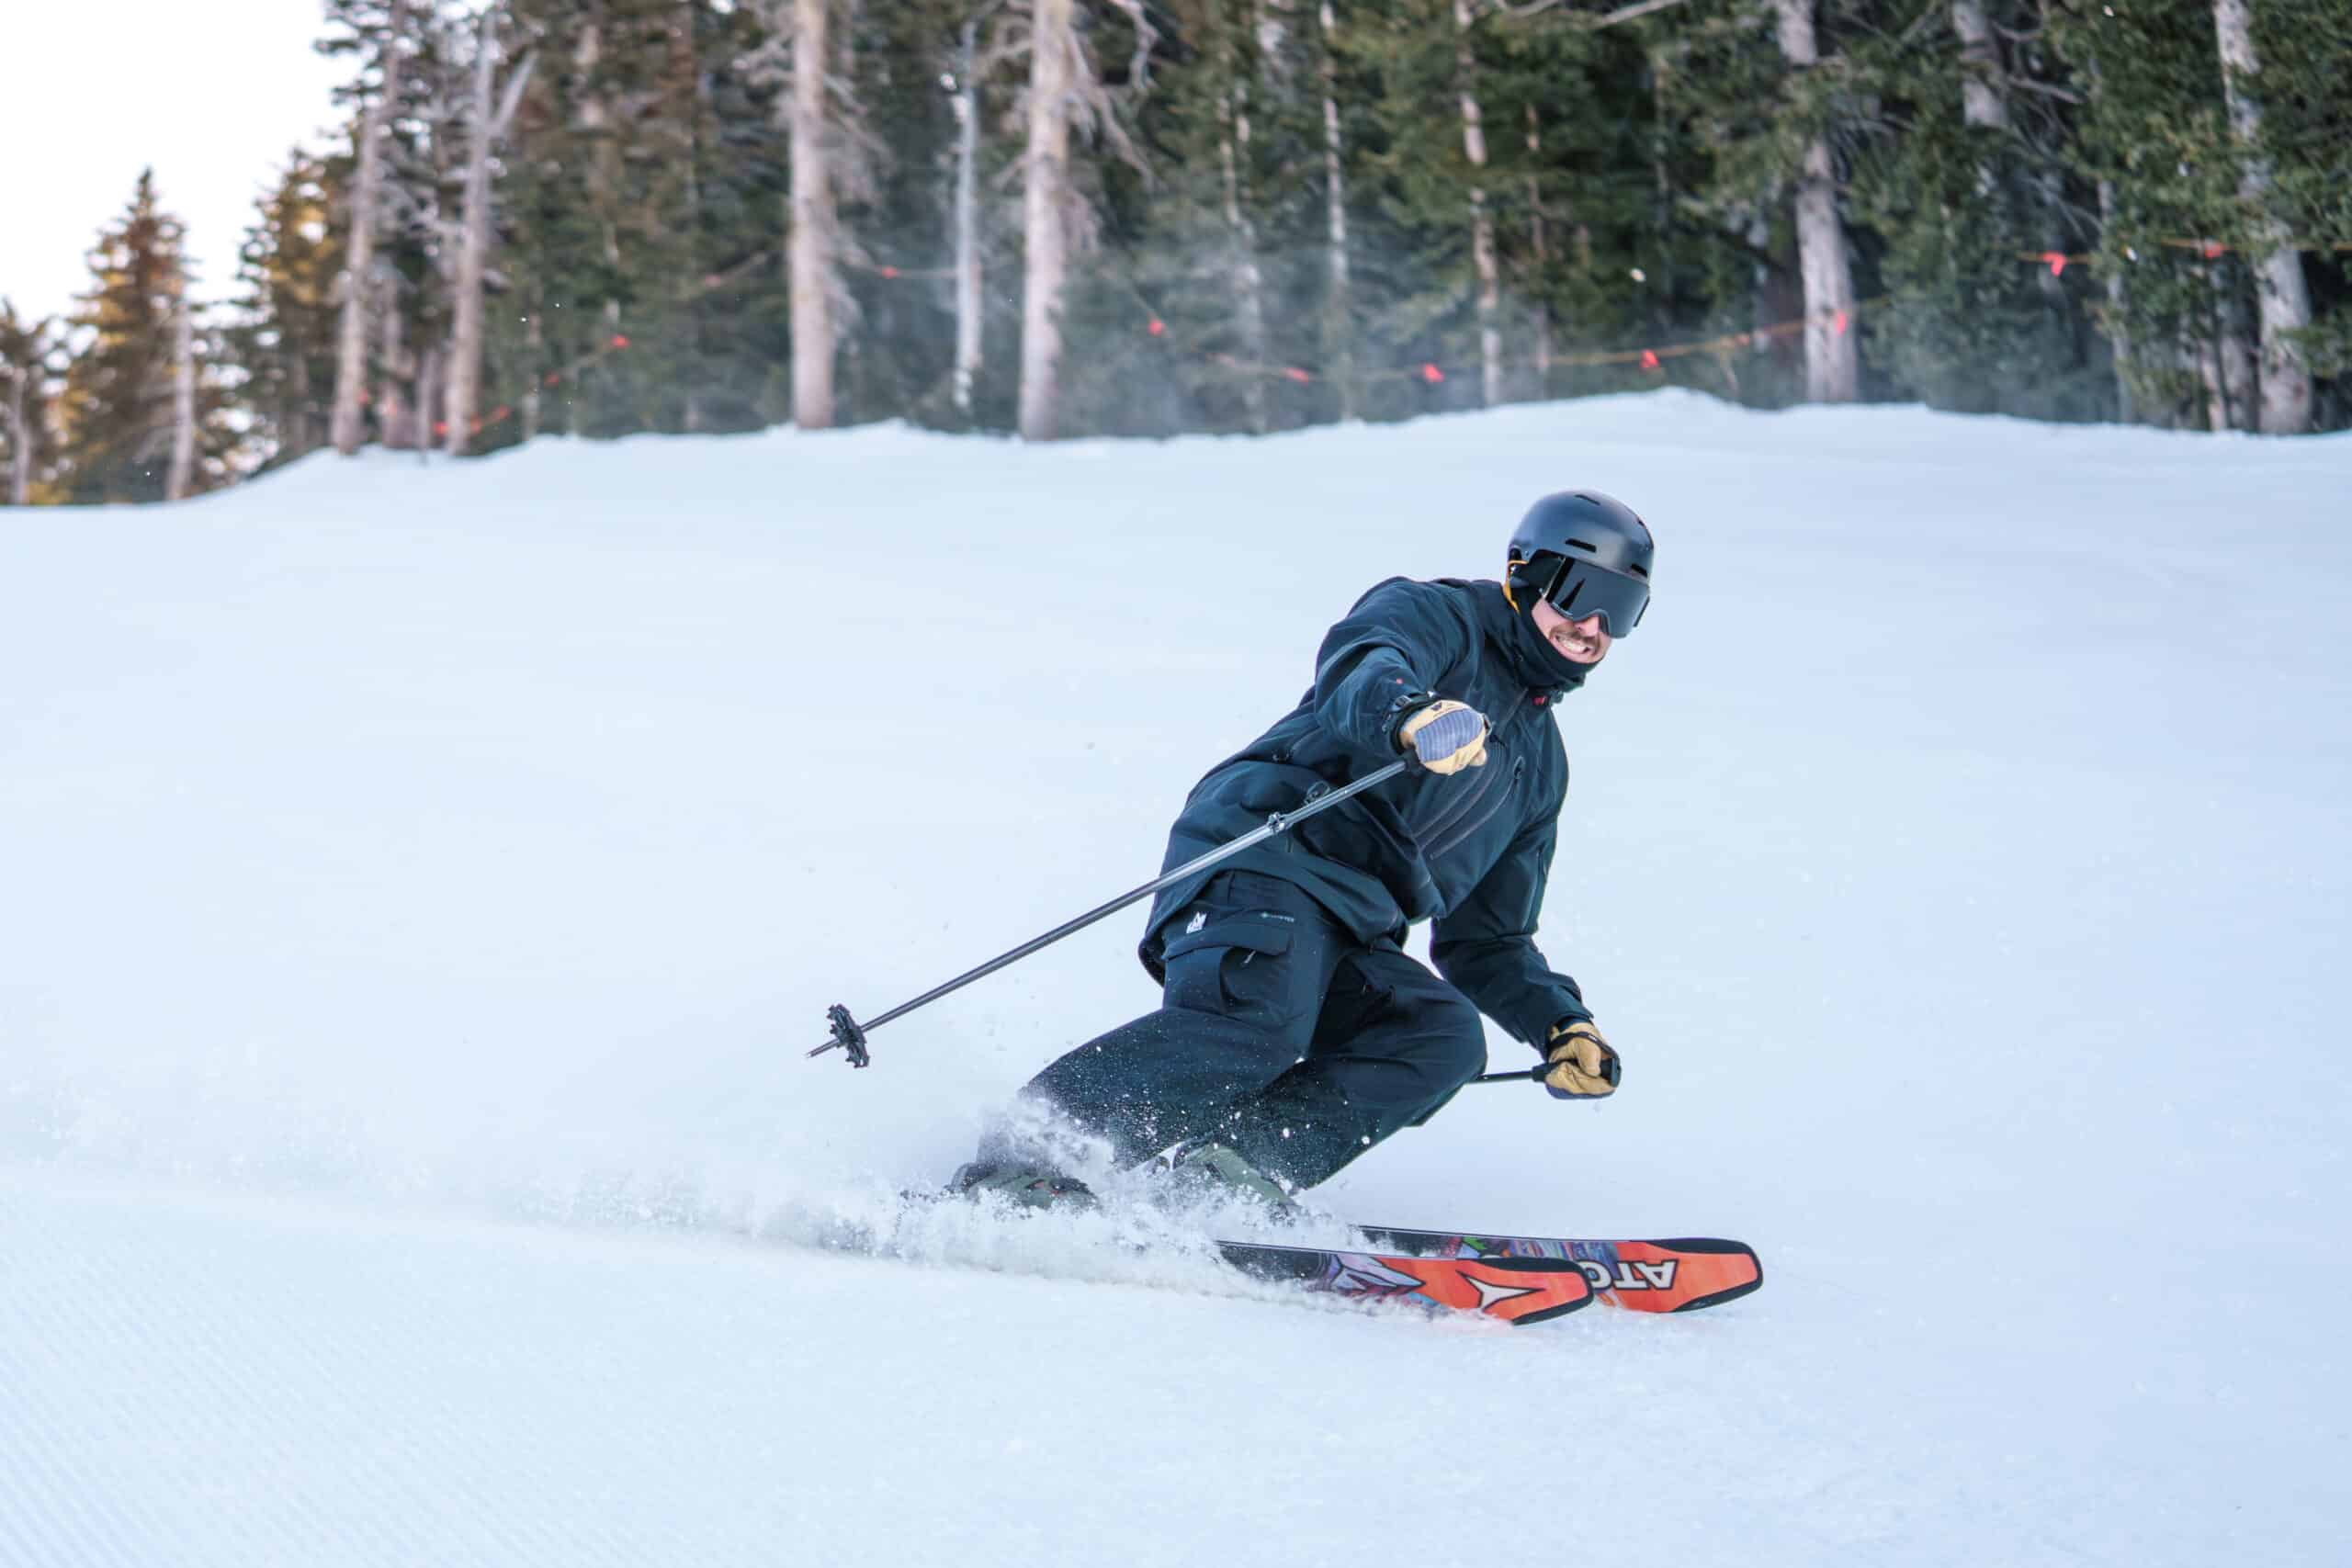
pixel 1278 1036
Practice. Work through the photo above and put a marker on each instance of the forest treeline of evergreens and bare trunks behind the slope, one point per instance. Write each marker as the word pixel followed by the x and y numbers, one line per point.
pixel 1144 217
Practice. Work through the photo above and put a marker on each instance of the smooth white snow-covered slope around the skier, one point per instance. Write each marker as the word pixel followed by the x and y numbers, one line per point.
pixel 420 885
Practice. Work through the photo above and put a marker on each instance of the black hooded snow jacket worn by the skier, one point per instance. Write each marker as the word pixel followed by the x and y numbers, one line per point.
pixel 1469 850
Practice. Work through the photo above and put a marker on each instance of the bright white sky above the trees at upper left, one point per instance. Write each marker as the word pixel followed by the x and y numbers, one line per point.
pixel 211 95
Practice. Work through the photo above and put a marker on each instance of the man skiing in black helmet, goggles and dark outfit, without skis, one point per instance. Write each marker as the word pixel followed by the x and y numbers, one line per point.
pixel 1295 1033
